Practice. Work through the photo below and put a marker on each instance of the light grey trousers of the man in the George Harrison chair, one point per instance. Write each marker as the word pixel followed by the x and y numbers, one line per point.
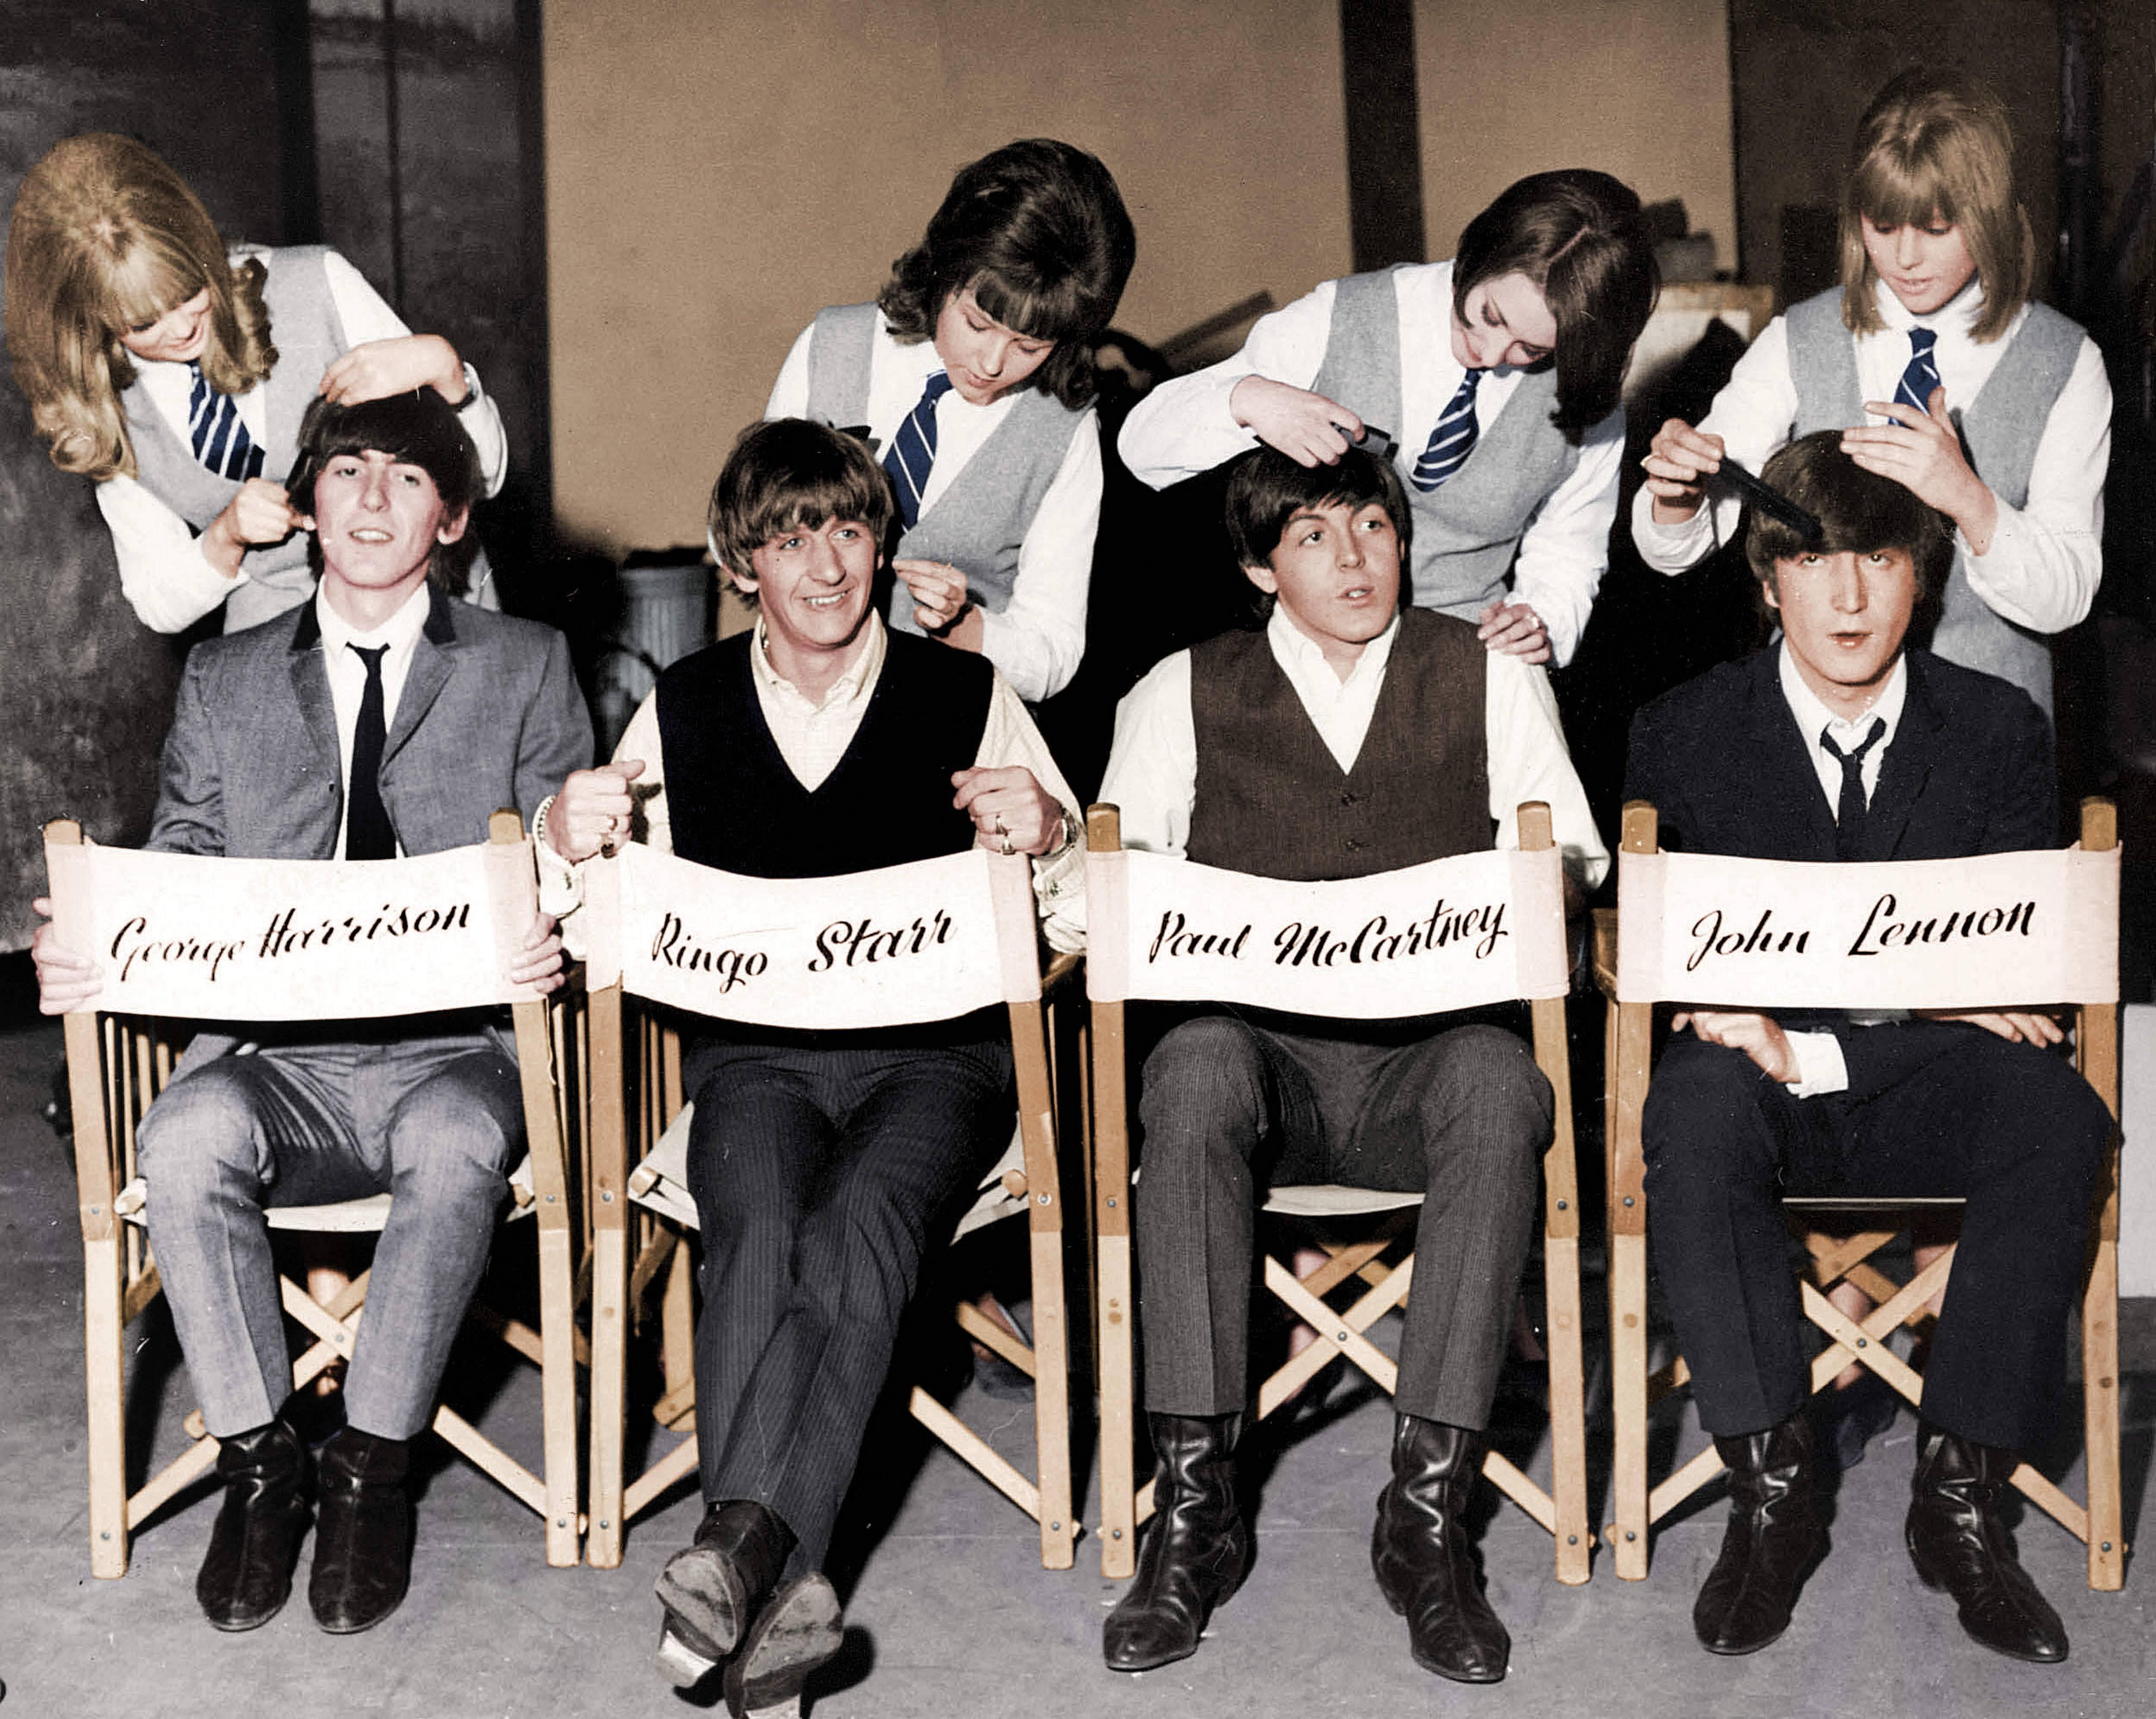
pixel 428 1120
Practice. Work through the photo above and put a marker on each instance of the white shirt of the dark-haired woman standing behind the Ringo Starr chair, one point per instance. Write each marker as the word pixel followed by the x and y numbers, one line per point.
pixel 1040 635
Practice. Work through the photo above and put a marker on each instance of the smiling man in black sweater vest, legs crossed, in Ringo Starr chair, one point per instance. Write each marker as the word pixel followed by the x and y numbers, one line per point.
pixel 823 1164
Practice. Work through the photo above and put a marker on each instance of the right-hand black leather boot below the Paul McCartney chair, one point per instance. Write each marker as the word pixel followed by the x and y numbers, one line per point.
pixel 1422 1554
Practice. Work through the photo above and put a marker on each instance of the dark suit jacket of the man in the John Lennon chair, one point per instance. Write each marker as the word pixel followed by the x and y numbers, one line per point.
pixel 1728 773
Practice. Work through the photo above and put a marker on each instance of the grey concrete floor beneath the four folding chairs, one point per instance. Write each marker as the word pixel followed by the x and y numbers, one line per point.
pixel 950 1612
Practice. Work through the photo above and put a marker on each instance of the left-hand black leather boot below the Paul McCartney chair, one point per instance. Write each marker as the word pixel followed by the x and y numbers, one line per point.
pixel 1196 1552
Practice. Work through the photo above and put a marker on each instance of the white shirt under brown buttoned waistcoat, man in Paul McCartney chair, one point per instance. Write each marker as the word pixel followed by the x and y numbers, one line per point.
pixel 1152 769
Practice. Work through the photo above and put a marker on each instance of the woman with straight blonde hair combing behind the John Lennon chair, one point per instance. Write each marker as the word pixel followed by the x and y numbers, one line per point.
pixel 1939 372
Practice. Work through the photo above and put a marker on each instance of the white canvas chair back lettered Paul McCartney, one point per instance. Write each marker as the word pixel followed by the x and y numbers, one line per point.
pixel 1450 935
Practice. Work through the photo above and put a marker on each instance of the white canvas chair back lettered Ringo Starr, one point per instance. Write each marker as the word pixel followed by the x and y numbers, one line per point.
pixel 874 948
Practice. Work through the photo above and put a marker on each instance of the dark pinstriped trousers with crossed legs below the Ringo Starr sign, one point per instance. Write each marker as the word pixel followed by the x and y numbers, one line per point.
pixel 820 1177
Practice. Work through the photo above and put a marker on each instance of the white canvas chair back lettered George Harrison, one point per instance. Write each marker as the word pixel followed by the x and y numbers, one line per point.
pixel 240 939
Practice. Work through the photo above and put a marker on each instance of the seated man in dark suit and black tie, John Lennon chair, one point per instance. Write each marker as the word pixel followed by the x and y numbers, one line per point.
pixel 1842 745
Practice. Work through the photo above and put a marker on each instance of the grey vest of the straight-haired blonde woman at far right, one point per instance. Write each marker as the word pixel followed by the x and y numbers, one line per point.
pixel 2000 435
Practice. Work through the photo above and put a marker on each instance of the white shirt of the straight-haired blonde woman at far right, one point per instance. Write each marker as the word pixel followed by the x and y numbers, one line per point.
pixel 2045 560
